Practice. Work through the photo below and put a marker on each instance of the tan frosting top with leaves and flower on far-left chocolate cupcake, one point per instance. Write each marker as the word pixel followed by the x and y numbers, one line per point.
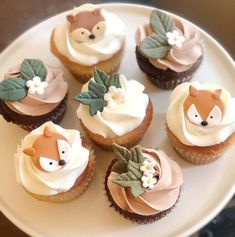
pixel 36 88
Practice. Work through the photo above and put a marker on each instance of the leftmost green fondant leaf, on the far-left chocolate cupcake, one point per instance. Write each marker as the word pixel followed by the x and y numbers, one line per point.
pixel 13 89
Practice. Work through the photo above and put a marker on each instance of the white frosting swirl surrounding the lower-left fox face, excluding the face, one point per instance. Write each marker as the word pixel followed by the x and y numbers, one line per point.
pixel 43 183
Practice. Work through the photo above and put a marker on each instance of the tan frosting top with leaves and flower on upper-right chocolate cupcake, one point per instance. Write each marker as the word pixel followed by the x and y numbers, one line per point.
pixel 169 42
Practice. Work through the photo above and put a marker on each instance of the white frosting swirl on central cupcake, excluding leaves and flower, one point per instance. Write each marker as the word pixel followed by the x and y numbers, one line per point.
pixel 119 119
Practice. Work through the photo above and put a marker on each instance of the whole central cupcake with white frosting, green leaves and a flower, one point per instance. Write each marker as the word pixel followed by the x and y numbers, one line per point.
pixel 114 110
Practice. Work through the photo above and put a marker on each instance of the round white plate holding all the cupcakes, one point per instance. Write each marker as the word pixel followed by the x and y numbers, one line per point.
pixel 206 189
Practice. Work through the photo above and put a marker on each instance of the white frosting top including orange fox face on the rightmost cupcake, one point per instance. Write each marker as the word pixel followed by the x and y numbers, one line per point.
pixel 196 123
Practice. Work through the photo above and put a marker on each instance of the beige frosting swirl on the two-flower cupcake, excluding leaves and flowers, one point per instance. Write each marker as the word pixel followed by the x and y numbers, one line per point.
pixel 162 197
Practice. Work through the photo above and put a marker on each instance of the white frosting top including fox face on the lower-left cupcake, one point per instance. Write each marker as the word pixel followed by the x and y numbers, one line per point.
pixel 51 178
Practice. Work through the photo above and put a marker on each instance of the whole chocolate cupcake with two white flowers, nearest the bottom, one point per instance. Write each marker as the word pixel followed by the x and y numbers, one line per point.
pixel 142 184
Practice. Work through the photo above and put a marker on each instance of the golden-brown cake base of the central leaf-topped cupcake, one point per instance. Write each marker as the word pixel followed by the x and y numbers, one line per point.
pixel 129 139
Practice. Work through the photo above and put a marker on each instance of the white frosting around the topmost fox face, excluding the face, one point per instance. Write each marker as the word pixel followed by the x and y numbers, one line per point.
pixel 91 54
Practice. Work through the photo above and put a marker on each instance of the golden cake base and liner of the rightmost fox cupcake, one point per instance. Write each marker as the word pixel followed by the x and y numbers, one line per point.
pixel 200 155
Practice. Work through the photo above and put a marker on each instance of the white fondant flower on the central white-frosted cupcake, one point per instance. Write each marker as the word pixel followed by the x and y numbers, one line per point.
pixel 114 96
